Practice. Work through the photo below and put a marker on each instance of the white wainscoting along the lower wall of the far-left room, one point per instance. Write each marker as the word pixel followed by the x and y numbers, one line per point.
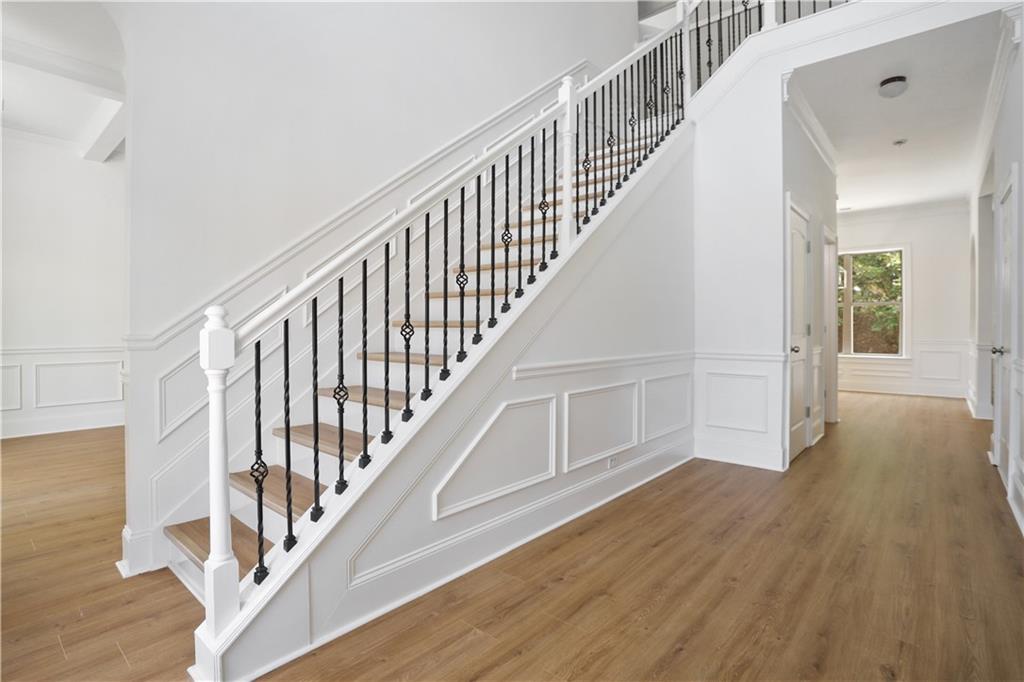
pixel 47 391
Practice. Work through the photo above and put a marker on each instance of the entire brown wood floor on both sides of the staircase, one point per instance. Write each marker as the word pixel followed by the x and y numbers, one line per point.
pixel 887 552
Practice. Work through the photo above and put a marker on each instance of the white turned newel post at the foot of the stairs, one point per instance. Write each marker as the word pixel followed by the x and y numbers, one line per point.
pixel 217 356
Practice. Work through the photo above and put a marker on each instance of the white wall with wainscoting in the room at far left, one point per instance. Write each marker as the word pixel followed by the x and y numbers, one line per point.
pixel 64 288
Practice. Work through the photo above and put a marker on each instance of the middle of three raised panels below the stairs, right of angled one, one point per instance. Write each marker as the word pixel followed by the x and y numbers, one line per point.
pixel 600 423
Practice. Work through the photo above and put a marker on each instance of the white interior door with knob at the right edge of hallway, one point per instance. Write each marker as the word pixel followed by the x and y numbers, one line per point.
pixel 1004 344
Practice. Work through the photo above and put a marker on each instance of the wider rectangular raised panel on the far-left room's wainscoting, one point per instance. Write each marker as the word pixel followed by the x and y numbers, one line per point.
pixel 86 382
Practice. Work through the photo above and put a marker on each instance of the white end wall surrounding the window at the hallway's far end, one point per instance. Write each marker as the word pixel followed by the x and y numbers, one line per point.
pixel 937 299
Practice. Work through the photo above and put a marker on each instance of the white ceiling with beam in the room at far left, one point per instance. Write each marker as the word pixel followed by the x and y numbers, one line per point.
pixel 62 75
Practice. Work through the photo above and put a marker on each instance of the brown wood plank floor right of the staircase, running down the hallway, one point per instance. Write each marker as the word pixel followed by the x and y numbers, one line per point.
pixel 887 552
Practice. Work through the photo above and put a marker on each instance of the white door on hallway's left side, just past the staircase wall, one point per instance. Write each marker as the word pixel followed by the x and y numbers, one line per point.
pixel 799 334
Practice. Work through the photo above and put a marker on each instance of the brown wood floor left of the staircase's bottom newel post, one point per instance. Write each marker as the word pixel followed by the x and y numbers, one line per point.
pixel 67 614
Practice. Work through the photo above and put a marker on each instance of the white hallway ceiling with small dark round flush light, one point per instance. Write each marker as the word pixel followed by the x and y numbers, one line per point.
pixel 948 72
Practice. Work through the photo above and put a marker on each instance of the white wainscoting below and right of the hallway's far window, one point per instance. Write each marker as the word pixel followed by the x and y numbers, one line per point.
pixel 934 367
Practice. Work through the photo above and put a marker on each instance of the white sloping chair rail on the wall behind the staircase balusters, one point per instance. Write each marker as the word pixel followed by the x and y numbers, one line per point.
pixel 144 342
